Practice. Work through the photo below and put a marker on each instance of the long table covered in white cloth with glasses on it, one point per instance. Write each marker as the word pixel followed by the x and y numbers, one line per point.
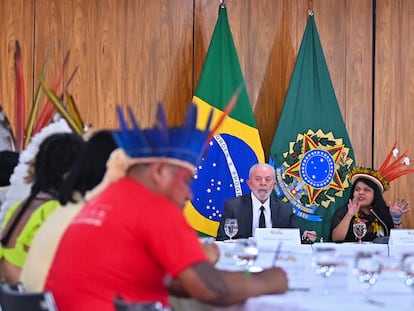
pixel 308 291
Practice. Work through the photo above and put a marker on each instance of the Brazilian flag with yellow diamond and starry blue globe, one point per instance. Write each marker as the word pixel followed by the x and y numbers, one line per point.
pixel 224 171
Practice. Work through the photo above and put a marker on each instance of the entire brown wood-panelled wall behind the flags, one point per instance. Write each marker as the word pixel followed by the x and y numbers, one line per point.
pixel 140 52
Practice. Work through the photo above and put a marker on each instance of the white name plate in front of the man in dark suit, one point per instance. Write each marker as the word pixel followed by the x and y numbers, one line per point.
pixel 272 236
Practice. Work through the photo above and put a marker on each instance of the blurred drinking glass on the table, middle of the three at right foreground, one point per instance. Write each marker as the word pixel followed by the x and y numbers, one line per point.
pixel 368 268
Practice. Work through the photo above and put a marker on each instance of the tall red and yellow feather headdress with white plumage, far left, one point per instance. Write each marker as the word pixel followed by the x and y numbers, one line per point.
pixel 40 123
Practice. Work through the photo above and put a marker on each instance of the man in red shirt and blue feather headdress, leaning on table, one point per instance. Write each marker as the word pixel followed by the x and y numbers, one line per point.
pixel 132 240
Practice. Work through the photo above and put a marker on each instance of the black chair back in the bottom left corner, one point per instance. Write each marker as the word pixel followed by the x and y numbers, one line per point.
pixel 13 299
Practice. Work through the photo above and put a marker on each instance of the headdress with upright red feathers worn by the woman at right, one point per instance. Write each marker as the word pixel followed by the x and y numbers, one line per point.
pixel 387 172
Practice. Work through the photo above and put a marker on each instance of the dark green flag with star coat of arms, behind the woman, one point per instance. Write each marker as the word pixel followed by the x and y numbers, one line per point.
pixel 311 150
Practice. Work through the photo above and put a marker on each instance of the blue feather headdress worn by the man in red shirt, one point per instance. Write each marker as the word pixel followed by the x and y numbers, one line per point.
pixel 183 145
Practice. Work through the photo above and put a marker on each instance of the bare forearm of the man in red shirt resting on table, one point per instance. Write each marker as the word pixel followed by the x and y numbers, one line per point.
pixel 204 282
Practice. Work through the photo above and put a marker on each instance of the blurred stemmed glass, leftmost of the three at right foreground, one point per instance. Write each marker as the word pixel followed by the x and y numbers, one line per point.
pixel 325 262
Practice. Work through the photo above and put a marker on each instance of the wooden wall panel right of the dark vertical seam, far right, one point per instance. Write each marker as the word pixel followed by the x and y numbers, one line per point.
pixel 394 90
